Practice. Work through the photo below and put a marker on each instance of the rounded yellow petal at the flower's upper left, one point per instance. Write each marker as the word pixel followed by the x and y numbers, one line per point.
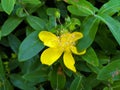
pixel 49 39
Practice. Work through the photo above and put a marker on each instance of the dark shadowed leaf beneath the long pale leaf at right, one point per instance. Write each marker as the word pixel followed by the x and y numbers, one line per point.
pixel 105 41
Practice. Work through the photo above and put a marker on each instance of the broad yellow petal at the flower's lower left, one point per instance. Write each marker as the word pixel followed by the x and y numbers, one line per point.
pixel 50 55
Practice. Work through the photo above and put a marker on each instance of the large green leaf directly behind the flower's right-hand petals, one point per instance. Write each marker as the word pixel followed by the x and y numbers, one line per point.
pixel 88 28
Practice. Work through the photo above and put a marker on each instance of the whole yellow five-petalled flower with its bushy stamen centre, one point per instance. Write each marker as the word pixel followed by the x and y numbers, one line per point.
pixel 64 43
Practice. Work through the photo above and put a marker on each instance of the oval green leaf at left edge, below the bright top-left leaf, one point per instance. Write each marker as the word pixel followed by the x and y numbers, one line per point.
pixel 10 25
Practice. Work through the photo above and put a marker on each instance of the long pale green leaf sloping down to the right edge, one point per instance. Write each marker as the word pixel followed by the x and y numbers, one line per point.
pixel 113 25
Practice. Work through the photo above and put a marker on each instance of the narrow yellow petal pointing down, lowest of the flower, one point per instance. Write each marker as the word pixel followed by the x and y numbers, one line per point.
pixel 69 61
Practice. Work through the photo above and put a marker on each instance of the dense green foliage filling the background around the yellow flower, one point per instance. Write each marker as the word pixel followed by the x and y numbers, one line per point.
pixel 20 47
